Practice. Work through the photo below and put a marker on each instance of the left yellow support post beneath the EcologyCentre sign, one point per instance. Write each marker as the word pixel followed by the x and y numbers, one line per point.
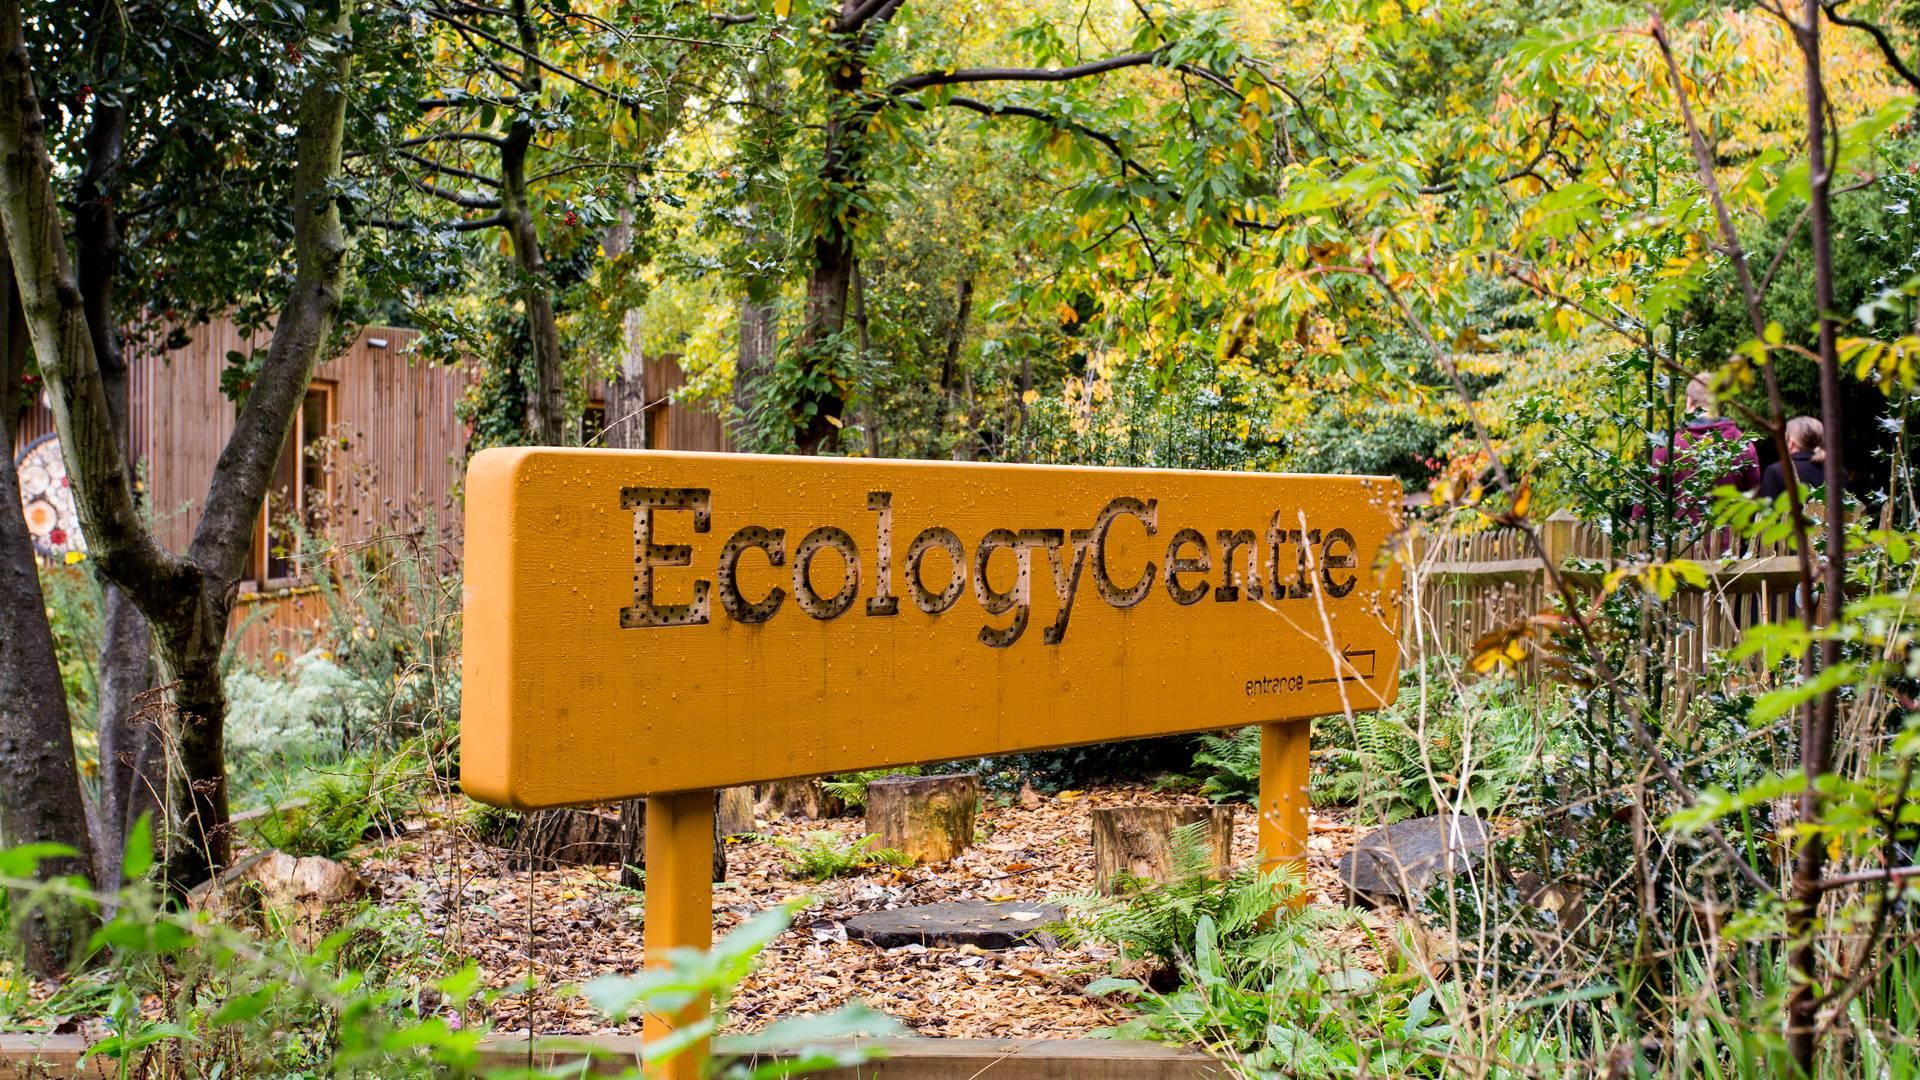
pixel 681 850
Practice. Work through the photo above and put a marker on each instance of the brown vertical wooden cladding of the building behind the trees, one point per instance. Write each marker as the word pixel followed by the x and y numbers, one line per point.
pixel 377 449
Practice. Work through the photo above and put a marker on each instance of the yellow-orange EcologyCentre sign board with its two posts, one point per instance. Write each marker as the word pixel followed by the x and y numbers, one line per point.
pixel 656 624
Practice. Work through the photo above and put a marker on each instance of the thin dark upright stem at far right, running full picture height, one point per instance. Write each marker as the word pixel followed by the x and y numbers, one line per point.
pixel 1819 724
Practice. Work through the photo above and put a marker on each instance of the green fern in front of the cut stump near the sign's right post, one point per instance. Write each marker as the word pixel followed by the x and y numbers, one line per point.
pixel 1159 921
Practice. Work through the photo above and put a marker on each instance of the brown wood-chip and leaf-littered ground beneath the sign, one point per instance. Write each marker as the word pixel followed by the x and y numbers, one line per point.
pixel 585 925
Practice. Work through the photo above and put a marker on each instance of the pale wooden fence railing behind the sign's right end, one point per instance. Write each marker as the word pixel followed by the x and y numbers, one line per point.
pixel 1464 587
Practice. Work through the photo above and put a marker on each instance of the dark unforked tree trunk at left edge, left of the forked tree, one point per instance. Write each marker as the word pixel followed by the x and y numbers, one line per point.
pixel 41 798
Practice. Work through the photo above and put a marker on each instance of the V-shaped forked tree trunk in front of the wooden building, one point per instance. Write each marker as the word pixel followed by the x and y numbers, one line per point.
pixel 185 599
